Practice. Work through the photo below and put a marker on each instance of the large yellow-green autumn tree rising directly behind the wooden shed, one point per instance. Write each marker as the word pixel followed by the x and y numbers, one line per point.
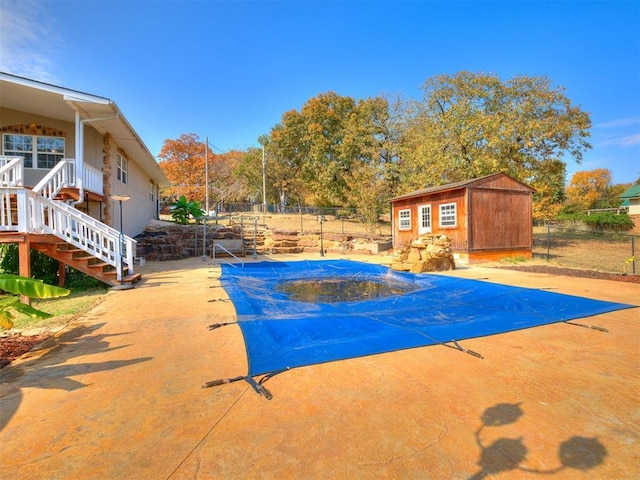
pixel 469 125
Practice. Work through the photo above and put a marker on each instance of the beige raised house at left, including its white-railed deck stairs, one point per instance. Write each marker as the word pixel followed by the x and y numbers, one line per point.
pixel 68 162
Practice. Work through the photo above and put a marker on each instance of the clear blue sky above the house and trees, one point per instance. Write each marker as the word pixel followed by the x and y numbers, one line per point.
pixel 228 70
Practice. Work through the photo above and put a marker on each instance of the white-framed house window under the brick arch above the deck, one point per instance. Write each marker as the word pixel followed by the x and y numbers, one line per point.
pixel 38 151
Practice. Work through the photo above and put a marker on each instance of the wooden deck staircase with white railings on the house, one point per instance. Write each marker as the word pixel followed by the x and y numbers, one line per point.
pixel 59 230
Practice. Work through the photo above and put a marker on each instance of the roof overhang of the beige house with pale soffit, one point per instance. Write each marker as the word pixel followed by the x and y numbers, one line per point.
pixel 39 98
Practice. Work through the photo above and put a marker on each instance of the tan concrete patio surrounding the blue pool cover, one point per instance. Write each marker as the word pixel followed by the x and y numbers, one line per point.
pixel 118 395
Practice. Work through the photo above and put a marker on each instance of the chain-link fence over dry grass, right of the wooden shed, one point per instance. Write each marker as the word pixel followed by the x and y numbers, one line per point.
pixel 587 249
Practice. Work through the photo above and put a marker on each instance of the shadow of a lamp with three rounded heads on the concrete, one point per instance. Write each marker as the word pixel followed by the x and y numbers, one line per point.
pixel 507 454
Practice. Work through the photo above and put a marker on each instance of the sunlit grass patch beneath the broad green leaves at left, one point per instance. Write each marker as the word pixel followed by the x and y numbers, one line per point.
pixel 64 309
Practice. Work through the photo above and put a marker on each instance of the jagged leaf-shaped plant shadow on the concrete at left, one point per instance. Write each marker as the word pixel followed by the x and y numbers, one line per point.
pixel 52 369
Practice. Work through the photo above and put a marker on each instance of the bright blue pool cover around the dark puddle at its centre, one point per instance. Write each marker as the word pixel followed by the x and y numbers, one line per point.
pixel 282 333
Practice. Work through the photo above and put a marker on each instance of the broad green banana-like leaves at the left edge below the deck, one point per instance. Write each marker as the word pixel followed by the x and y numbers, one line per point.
pixel 16 285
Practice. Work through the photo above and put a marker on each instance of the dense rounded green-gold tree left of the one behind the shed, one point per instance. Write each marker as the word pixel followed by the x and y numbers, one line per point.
pixel 313 153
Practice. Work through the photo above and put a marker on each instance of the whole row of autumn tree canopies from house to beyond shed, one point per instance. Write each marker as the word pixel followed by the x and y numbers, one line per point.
pixel 346 152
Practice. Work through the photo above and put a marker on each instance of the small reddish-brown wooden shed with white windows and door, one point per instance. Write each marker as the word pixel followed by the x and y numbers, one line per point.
pixel 486 218
